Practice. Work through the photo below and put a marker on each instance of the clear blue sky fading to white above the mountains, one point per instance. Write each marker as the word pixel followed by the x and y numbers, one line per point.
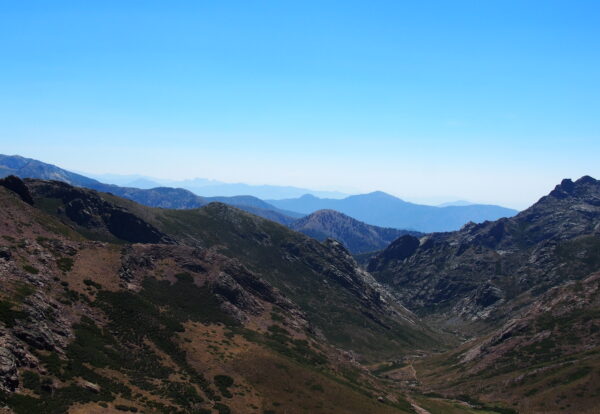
pixel 490 101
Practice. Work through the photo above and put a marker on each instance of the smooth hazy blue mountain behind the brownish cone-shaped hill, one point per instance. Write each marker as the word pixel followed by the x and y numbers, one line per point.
pixel 384 210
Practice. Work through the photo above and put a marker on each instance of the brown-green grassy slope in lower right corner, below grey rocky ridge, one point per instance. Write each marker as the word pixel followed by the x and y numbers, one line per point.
pixel 546 360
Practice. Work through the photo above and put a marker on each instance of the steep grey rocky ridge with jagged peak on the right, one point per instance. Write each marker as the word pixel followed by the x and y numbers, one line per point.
pixel 487 272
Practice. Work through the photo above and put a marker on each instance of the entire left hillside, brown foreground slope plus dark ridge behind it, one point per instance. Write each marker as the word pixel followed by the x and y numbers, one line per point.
pixel 103 311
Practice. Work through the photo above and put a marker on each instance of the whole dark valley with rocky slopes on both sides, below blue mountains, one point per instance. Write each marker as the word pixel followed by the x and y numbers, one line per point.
pixel 219 310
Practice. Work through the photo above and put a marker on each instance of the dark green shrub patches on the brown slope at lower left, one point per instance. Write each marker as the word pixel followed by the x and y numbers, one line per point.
pixel 155 315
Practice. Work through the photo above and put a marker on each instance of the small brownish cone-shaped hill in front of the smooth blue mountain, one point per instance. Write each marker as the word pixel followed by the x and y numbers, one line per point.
pixel 356 236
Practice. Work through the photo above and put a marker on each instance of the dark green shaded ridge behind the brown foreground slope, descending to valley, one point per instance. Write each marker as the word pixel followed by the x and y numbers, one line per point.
pixel 301 267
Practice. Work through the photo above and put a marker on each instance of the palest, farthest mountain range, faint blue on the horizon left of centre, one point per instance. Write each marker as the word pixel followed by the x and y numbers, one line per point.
pixel 211 188
